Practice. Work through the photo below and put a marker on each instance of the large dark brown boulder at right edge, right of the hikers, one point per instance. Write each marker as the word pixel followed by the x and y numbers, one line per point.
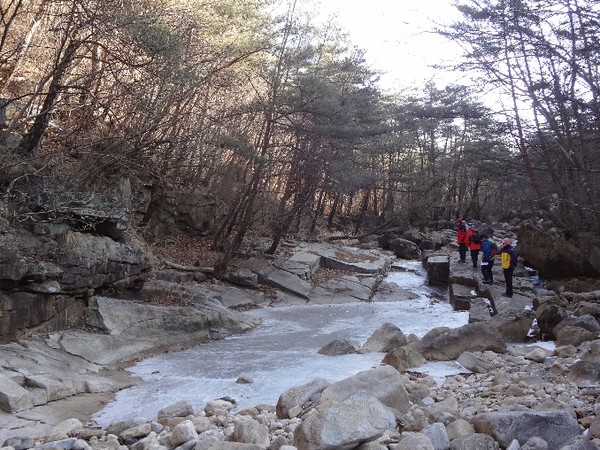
pixel 553 256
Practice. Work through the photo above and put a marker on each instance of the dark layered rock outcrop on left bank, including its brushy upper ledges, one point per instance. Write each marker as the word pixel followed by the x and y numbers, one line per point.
pixel 60 246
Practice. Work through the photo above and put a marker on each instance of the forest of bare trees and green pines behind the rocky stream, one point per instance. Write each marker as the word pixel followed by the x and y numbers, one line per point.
pixel 280 121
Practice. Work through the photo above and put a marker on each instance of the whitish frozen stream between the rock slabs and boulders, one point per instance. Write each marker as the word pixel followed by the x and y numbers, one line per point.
pixel 281 353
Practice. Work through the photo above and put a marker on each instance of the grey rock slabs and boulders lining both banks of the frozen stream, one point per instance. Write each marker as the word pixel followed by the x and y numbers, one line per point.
pixel 510 396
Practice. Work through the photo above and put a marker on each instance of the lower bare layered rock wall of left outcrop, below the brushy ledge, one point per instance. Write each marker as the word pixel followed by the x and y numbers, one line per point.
pixel 47 278
